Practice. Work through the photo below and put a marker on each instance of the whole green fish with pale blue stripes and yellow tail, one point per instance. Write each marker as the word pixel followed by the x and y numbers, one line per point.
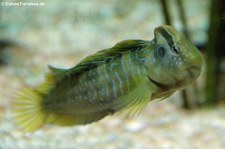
pixel 120 79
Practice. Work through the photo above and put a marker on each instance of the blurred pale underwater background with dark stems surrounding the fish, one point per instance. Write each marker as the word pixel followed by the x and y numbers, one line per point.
pixel 35 34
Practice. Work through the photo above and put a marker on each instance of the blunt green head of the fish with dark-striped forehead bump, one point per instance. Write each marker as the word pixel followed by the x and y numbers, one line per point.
pixel 177 62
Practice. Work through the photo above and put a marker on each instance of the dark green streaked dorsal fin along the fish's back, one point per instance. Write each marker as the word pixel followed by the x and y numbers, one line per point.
pixel 107 55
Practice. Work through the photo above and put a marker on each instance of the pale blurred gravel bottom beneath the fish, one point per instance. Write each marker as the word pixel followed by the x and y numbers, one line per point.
pixel 160 126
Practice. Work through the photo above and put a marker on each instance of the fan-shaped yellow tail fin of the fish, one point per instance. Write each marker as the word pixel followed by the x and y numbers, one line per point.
pixel 28 111
